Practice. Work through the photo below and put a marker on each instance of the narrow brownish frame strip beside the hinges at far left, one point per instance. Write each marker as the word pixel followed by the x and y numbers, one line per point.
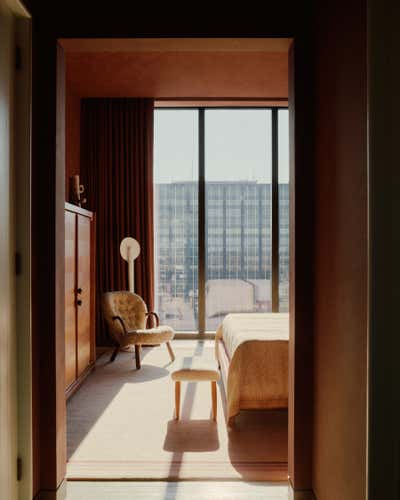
pixel 23 133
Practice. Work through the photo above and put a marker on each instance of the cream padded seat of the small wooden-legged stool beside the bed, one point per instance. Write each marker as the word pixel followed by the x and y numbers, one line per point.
pixel 195 369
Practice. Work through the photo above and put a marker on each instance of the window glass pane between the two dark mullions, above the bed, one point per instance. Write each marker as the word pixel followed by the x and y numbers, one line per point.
pixel 238 212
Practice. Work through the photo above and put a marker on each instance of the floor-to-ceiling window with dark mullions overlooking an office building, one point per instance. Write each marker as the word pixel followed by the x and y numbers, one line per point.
pixel 214 172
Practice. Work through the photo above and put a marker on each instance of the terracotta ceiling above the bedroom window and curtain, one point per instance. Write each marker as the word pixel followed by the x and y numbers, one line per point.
pixel 178 68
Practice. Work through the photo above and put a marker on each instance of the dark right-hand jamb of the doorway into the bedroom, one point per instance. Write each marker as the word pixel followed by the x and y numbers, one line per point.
pixel 301 278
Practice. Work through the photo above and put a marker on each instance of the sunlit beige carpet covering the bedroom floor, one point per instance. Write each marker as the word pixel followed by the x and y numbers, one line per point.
pixel 121 426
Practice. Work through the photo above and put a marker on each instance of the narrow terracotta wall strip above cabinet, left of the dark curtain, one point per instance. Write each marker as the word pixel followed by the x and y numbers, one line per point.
pixel 72 136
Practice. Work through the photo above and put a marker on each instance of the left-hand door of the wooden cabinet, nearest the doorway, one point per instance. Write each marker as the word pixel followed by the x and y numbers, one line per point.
pixel 70 307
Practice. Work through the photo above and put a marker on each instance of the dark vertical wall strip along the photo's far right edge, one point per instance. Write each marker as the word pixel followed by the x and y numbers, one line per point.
pixel 384 346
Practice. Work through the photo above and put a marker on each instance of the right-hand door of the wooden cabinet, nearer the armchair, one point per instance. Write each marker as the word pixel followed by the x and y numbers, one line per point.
pixel 84 291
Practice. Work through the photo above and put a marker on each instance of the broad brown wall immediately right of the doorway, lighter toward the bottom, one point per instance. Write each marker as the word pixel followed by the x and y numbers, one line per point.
pixel 341 259
